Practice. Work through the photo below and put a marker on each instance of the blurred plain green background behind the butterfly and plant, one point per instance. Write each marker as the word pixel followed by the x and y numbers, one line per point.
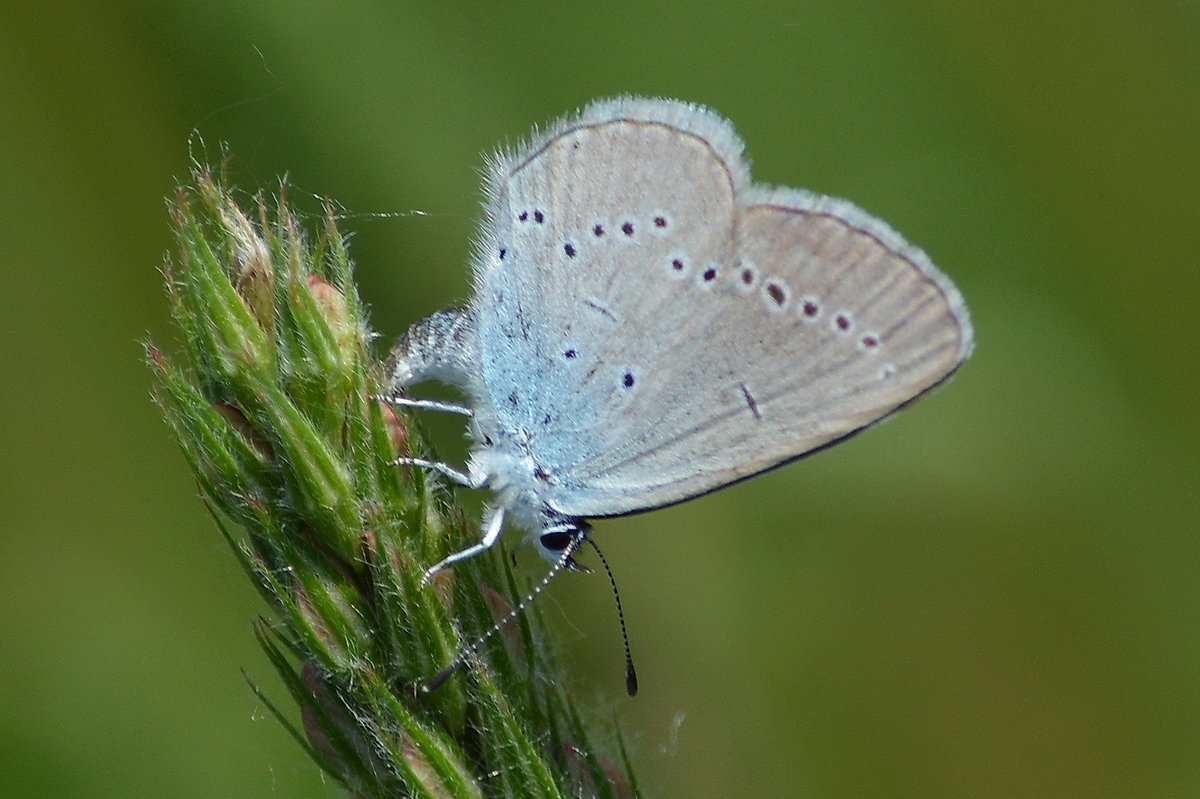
pixel 994 596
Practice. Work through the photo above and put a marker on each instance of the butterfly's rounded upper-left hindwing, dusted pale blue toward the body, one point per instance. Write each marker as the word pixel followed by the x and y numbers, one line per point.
pixel 581 217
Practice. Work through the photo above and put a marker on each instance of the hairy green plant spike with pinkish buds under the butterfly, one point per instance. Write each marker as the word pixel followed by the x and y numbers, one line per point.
pixel 269 399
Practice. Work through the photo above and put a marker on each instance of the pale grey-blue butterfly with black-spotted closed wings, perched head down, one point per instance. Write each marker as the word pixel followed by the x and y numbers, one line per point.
pixel 649 326
